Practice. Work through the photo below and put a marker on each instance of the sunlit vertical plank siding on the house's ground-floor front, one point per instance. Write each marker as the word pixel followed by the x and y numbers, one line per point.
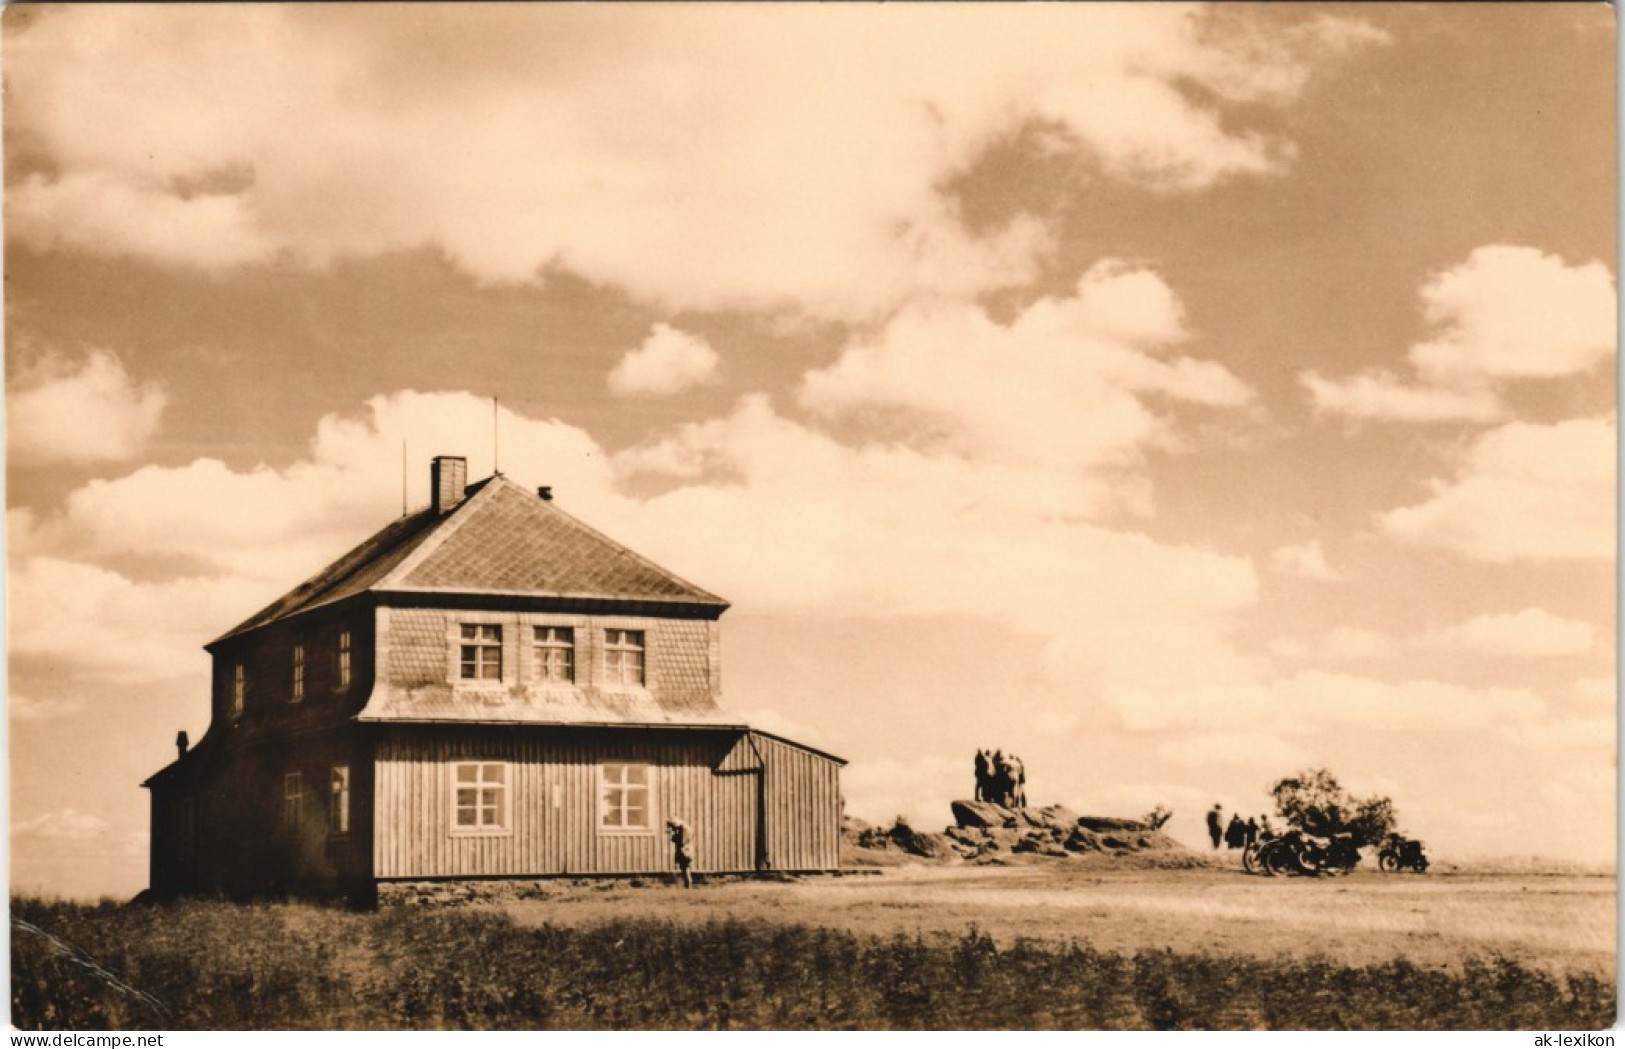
pixel 553 803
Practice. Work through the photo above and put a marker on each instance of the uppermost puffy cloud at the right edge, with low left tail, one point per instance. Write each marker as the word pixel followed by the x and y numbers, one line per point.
pixel 1504 314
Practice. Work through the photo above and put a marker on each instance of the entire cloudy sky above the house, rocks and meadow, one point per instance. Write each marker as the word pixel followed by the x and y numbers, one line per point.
pixel 1174 397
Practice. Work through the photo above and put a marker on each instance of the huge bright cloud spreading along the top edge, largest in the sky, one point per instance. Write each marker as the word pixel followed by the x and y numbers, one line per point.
pixel 753 158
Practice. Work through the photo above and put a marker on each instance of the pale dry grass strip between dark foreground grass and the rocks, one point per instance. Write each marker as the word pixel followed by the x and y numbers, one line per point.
pixel 1558 923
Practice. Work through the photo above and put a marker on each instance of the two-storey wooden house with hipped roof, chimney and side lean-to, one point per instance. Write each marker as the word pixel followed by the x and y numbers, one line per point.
pixel 485 689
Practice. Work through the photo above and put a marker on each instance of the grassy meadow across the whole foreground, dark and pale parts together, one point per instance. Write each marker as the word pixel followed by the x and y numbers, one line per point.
pixel 893 954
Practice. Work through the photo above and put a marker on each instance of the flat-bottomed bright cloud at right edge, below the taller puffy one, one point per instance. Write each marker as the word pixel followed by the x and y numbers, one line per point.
pixel 1522 493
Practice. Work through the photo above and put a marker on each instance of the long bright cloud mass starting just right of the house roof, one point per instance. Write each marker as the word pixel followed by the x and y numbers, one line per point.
pixel 885 530
